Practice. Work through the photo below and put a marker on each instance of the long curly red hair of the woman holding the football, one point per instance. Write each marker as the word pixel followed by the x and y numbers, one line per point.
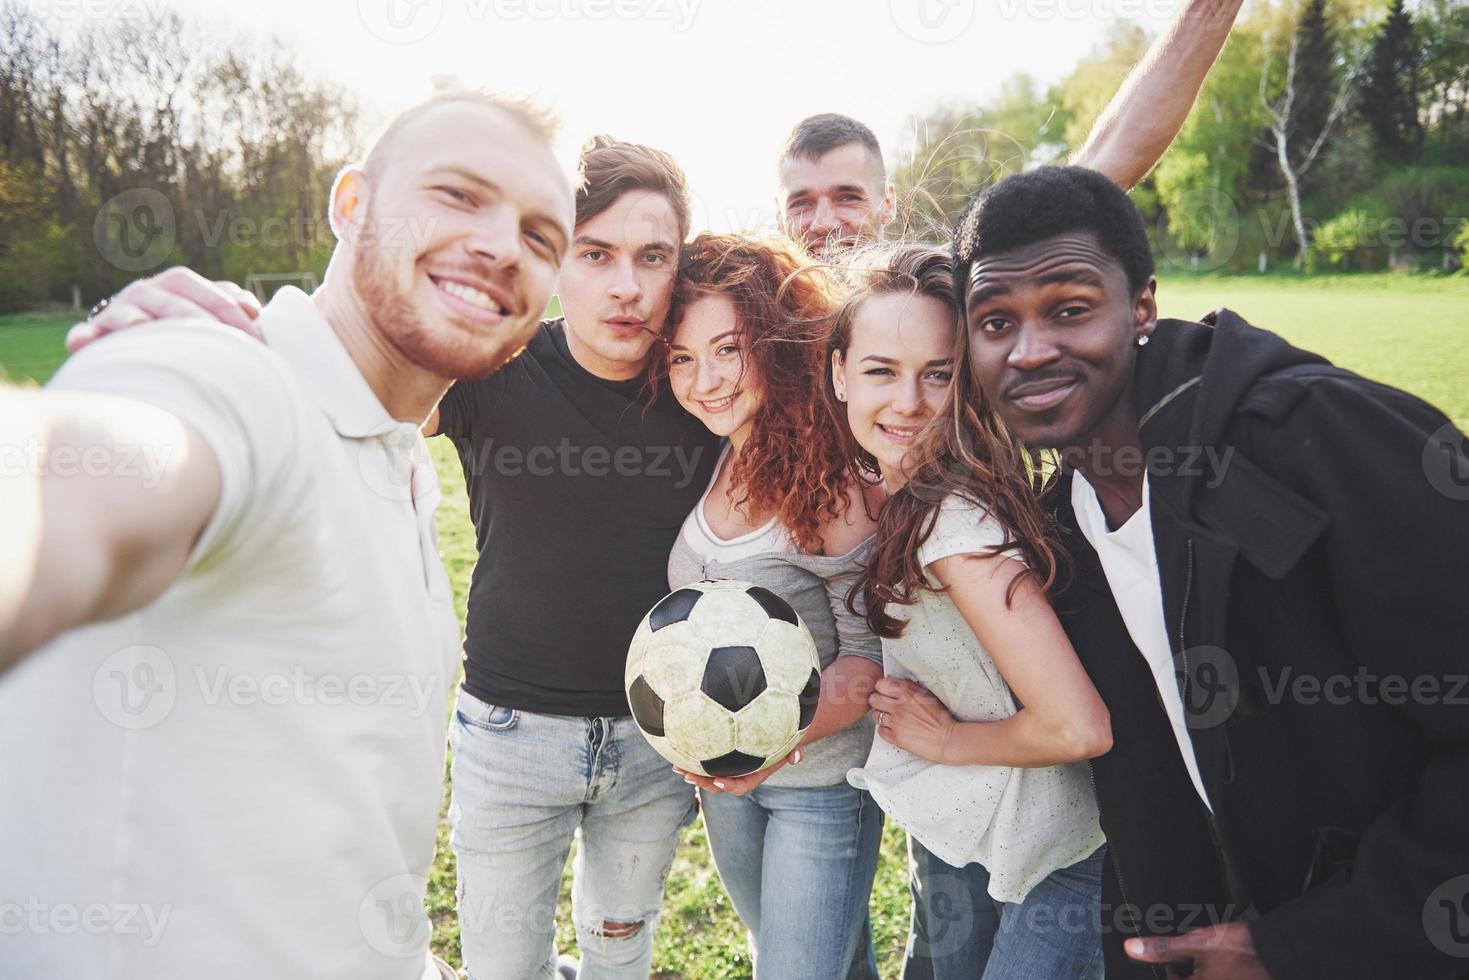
pixel 794 464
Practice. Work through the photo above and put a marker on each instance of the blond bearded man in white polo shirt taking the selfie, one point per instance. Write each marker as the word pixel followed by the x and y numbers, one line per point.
pixel 225 750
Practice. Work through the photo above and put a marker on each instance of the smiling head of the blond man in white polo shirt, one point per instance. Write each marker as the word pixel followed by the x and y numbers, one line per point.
pixel 456 237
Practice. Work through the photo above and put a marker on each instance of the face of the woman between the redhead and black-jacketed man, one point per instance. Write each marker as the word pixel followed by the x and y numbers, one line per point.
pixel 895 375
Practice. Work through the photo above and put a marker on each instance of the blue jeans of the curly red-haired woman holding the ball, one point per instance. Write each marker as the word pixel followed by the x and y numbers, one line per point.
pixel 798 865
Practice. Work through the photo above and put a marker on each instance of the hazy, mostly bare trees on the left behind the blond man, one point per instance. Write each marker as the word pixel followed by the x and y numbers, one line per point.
pixel 140 142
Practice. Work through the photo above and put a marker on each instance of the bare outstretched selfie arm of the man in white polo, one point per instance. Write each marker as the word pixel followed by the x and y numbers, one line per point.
pixel 102 500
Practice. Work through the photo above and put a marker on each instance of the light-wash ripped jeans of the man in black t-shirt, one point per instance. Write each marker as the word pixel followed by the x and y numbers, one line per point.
pixel 524 785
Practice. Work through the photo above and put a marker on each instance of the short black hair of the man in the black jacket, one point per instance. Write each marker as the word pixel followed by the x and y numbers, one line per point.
pixel 1048 202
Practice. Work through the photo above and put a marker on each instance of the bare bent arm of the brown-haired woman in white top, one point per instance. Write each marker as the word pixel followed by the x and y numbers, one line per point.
pixel 1063 718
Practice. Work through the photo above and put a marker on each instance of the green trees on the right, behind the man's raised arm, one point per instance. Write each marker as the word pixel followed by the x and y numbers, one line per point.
pixel 1330 136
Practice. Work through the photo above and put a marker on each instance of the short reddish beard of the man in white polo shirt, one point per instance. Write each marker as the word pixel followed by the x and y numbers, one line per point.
pixel 449 350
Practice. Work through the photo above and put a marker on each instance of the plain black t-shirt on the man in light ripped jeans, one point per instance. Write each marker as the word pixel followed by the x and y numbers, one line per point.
pixel 578 489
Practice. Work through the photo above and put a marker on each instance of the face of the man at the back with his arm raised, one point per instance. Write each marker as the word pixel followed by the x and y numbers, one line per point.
pixel 837 201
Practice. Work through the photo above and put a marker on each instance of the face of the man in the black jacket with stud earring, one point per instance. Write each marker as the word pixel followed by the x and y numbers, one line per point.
pixel 1053 333
